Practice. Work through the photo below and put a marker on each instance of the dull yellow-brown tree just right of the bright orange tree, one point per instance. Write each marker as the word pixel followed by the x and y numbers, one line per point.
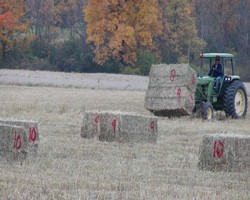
pixel 180 35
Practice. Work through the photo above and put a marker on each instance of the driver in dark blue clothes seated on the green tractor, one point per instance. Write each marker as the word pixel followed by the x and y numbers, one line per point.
pixel 217 73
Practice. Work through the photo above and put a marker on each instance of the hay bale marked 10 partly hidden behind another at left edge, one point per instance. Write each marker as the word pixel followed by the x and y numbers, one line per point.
pixel 31 129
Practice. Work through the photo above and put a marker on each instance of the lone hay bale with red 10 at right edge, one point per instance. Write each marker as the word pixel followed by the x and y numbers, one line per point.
pixel 225 152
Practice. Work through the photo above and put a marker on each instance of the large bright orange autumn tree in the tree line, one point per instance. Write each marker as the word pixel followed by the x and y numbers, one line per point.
pixel 117 28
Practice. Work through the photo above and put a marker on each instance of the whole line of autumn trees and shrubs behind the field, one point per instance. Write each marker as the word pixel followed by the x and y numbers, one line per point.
pixel 120 36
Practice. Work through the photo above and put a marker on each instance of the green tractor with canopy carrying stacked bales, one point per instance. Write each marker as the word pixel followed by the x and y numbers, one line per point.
pixel 229 96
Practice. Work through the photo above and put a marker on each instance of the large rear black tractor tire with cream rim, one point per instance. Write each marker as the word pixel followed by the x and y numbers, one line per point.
pixel 235 100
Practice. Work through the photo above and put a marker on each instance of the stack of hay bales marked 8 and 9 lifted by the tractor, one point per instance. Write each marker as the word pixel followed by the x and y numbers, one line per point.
pixel 171 90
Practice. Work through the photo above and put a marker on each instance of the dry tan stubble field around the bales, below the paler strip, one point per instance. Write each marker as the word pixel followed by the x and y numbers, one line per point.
pixel 69 167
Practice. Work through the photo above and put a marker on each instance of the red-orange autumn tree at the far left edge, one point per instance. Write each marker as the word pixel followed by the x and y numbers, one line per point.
pixel 12 23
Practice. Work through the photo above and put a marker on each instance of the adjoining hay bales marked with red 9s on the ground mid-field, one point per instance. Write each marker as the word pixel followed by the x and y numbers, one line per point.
pixel 117 126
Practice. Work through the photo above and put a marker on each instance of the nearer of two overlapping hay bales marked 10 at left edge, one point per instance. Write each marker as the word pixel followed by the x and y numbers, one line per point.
pixel 13 142
